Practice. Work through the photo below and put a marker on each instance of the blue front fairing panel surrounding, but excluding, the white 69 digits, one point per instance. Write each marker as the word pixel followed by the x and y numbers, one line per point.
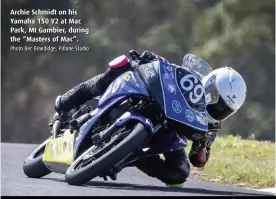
pixel 176 100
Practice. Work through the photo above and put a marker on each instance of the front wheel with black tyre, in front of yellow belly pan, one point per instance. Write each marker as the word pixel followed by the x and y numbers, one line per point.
pixel 99 159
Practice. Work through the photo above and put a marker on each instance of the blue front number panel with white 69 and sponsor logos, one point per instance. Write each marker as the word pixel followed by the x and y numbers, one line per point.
pixel 184 98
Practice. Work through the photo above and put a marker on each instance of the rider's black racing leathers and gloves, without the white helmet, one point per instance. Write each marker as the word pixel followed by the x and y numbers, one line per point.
pixel 175 169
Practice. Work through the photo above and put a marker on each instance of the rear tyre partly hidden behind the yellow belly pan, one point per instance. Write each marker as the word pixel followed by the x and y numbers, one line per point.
pixel 33 166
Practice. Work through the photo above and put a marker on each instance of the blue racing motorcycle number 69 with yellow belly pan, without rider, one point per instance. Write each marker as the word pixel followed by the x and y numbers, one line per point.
pixel 139 115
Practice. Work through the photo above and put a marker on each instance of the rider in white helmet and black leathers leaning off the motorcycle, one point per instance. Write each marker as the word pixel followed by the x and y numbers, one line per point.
pixel 174 170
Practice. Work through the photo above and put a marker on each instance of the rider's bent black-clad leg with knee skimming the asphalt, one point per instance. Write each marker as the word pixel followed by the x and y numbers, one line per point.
pixel 173 171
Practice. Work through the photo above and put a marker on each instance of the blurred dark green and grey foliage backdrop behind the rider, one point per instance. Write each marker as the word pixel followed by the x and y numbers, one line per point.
pixel 236 33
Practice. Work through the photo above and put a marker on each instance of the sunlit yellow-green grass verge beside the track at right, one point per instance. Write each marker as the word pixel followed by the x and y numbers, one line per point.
pixel 239 162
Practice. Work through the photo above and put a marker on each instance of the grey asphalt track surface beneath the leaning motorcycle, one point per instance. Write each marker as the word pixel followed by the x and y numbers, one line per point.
pixel 131 182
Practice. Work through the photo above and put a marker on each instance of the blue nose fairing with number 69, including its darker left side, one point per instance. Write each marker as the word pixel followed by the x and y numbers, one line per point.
pixel 164 82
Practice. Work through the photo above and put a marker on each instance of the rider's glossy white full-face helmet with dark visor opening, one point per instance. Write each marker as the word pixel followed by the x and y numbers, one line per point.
pixel 225 93
